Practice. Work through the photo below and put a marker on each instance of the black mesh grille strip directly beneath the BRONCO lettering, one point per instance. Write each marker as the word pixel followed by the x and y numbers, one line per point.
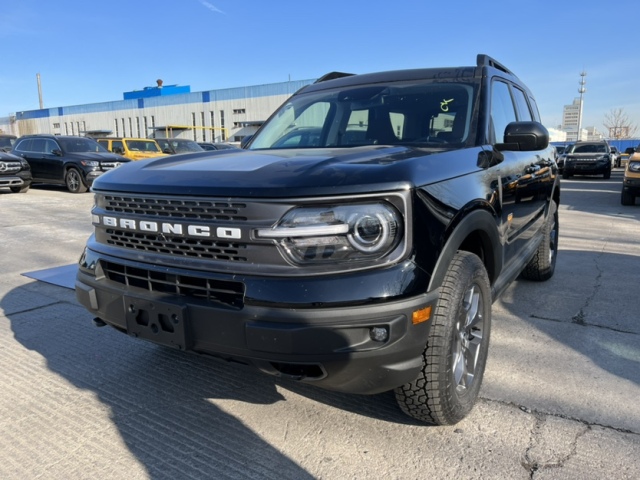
pixel 188 247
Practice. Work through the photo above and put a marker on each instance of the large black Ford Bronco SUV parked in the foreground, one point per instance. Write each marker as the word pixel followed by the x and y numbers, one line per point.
pixel 356 244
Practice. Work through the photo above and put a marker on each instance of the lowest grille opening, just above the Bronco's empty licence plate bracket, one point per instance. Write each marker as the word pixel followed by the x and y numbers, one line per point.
pixel 192 287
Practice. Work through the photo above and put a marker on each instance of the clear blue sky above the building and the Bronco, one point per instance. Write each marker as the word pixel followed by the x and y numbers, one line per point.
pixel 89 51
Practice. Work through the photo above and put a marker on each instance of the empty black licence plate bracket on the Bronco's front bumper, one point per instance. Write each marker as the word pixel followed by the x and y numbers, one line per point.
pixel 159 322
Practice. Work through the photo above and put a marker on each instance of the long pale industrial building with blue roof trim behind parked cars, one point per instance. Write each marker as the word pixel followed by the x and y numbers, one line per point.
pixel 162 111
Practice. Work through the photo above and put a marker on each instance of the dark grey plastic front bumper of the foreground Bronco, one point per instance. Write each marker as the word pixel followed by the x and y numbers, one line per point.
pixel 332 347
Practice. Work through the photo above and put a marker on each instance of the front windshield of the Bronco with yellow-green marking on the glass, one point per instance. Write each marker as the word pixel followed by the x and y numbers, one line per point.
pixel 396 114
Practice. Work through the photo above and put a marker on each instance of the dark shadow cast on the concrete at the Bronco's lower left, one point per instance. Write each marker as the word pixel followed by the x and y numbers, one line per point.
pixel 164 403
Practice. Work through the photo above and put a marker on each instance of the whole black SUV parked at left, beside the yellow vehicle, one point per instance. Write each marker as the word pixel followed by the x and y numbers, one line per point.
pixel 72 161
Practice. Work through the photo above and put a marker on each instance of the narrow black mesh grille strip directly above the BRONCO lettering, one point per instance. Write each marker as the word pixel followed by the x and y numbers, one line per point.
pixel 175 208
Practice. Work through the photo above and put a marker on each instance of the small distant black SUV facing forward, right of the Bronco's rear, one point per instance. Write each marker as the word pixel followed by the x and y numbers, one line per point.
pixel 588 158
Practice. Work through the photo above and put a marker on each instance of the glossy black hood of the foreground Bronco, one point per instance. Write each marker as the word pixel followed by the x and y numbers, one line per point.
pixel 287 172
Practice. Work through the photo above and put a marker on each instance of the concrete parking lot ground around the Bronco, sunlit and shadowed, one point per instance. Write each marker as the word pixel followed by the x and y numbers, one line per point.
pixel 559 400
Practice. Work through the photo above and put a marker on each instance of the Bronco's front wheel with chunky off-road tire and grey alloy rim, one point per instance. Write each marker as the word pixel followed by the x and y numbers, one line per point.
pixel 455 356
